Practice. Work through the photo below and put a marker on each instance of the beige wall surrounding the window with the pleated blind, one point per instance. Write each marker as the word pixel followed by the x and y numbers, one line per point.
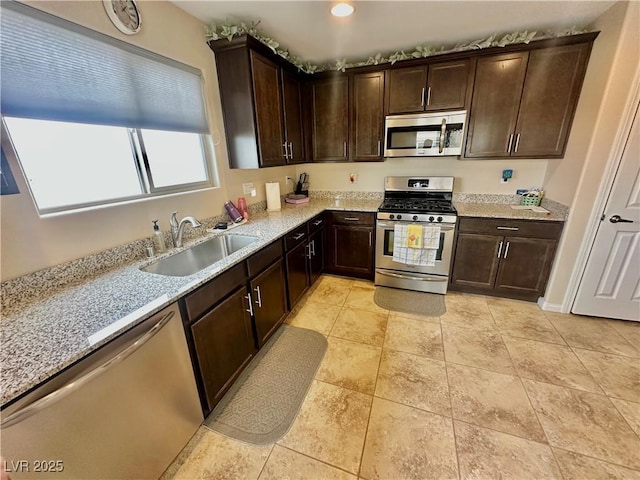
pixel 30 243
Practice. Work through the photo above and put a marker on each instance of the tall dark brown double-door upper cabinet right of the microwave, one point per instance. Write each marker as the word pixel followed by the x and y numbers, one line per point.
pixel 524 102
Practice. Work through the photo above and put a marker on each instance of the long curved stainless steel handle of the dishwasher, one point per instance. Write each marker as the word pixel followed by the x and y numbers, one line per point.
pixel 62 392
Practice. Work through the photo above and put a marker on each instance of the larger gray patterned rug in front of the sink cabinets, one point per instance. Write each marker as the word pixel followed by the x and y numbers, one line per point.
pixel 262 404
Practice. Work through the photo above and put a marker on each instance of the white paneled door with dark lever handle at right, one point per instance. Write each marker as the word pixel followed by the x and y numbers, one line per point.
pixel 610 286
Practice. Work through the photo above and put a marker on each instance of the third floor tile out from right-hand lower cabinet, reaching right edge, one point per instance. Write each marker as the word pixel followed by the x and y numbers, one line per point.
pixel 584 423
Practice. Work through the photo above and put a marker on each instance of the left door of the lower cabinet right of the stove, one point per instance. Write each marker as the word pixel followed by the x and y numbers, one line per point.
pixel 476 260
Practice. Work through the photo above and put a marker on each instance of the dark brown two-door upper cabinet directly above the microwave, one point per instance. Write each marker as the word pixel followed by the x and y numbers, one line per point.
pixel 437 86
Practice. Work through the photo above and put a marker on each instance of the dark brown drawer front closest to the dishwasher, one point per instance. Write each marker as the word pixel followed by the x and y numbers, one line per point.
pixel 211 293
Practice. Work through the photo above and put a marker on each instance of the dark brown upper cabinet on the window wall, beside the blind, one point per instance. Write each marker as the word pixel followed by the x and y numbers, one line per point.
pixel 261 104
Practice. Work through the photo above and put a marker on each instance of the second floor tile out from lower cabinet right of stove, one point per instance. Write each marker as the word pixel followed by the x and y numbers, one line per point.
pixel 549 363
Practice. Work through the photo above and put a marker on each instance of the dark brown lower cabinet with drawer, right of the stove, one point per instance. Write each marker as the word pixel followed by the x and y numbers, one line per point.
pixel 504 257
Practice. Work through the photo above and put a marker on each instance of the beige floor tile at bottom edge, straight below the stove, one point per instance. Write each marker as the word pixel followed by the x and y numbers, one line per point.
pixel 407 443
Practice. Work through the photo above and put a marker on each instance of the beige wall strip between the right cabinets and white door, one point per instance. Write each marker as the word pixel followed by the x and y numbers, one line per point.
pixel 615 60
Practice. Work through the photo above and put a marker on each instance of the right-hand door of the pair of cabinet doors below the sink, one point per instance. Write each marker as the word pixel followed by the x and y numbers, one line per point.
pixel 268 292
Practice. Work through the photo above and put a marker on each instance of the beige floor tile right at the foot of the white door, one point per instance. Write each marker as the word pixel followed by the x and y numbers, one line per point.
pixel 592 334
